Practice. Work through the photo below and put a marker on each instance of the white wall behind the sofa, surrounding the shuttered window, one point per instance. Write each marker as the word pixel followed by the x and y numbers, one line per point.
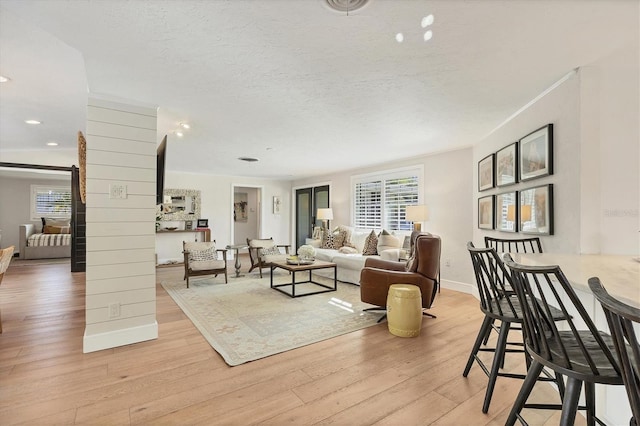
pixel 448 195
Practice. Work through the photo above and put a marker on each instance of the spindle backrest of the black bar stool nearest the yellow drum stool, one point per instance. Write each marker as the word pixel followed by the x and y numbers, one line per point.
pixel 494 283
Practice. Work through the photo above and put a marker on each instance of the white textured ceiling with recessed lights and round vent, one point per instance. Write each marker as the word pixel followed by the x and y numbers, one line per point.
pixel 303 88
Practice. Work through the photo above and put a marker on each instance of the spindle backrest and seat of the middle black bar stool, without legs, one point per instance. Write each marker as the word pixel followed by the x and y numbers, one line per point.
pixel 570 351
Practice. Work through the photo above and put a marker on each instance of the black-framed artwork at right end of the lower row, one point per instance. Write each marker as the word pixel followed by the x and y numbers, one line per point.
pixel 536 210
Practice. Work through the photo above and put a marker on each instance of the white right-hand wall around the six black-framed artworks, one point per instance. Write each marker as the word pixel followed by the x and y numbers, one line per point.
pixel 596 158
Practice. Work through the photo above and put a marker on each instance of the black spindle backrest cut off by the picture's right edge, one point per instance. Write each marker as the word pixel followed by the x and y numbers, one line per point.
pixel 621 318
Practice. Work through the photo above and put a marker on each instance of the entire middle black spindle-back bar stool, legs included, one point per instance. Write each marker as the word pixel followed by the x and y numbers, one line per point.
pixel 583 356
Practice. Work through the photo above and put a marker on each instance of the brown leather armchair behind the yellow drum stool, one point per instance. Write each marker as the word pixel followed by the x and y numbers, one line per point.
pixel 422 270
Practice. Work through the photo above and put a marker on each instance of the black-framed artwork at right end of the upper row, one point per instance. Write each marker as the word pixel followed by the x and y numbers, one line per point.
pixel 536 154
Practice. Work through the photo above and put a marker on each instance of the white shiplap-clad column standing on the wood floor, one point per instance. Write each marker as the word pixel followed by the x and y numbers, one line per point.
pixel 121 176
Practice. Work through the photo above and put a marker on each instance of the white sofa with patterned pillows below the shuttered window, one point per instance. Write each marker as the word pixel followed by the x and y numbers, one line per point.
pixel 350 265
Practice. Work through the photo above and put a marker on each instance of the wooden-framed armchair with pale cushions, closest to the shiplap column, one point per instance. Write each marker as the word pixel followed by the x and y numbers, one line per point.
pixel 202 258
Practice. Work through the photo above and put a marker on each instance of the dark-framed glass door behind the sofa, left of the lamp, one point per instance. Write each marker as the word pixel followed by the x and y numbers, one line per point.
pixel 308 201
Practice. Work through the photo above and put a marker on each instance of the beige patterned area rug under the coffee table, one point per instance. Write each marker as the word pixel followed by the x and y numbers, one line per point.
pixel 246 320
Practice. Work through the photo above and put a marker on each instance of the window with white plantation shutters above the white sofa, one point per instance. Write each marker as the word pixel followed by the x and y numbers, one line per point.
pixel 380 201
